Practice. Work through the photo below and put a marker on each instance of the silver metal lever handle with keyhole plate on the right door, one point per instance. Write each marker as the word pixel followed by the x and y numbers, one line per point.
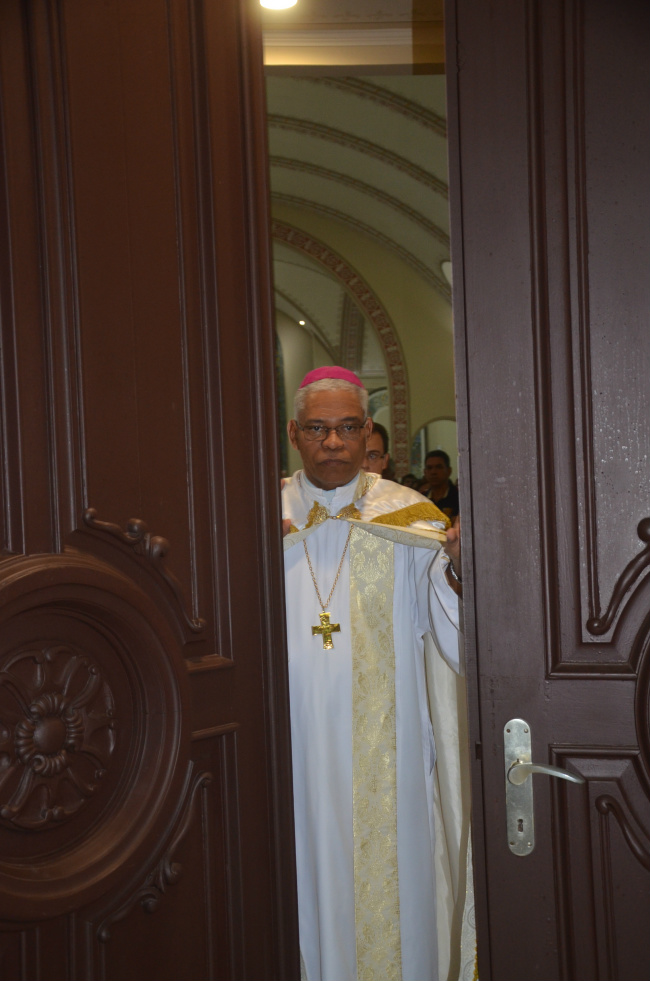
pixel 520 817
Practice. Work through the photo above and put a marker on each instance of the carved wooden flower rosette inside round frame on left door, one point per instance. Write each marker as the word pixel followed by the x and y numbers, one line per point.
pixel 57 734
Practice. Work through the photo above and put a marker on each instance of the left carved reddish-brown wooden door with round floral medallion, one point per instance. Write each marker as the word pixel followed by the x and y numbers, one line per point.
pixel 145 815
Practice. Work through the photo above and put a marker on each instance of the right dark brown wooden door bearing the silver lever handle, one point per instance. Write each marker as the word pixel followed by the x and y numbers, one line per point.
pixel 550 137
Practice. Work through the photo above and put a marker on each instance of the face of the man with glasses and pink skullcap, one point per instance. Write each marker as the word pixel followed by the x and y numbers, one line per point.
pixel 330 462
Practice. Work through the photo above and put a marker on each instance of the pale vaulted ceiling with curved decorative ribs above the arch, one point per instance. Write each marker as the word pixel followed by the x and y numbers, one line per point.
pixel 370 153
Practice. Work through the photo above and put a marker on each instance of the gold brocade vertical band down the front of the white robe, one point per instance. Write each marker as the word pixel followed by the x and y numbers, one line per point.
pixel 374 759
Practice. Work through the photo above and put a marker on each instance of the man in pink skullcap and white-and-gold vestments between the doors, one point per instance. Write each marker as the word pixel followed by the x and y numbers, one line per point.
pixel 365 582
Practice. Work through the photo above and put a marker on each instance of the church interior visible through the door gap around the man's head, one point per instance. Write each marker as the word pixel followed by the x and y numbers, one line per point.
pixel 360 215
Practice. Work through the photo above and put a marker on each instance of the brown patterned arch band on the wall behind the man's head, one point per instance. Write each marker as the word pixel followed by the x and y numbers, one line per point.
pixel 366 299
